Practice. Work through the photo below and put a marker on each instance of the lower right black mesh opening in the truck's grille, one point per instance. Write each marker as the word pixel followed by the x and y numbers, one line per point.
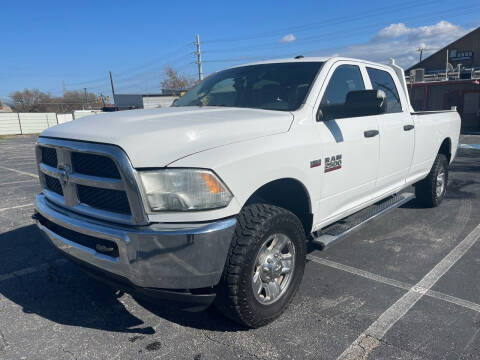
pixel 105 199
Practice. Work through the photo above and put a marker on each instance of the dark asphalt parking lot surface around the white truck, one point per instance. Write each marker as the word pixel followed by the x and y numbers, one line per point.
pixel 406 286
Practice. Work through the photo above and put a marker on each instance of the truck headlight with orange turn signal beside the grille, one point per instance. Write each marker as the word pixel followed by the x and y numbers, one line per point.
pixel 184 189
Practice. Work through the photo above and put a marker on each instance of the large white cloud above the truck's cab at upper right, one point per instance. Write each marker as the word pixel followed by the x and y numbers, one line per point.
pixel 401 42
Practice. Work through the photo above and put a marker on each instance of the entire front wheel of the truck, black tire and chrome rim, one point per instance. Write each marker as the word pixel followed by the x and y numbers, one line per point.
pixel 265 265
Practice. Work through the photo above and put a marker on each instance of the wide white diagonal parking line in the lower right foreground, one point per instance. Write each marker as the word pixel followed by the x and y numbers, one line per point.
pixel 371 337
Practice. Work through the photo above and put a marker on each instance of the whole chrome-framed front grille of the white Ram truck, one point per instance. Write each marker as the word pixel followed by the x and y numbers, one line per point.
pixel 90 179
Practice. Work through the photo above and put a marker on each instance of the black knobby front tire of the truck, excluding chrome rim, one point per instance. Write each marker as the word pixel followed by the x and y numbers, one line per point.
pixel 235 298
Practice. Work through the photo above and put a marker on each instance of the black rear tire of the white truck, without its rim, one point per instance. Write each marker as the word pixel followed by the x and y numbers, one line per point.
pixel 426 190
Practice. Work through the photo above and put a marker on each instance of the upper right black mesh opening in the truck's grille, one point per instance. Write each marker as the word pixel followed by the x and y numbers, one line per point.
pixel 94 165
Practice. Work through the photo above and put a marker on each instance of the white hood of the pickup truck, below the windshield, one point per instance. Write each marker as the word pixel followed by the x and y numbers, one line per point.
pixel 157 137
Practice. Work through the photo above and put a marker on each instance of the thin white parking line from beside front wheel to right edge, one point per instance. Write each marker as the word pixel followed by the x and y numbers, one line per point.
pixel 399 284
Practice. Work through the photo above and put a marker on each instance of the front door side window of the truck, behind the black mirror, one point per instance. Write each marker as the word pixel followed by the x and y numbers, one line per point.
pixel 346 78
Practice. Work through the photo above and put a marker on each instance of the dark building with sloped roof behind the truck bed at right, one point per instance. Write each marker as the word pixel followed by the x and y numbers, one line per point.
pixel 435 84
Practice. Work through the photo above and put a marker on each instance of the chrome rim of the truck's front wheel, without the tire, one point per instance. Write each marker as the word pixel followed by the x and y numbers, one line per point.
pixel 273 268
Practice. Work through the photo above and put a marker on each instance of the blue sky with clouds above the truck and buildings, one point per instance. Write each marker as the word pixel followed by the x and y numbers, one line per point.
pixel 46 44
